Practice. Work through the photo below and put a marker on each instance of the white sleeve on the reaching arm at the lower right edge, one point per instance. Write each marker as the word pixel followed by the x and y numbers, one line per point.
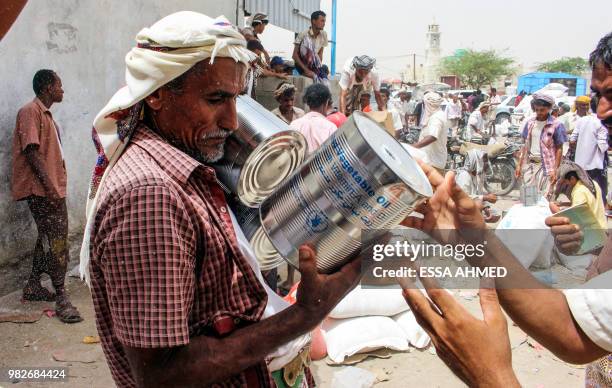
pixel 591 307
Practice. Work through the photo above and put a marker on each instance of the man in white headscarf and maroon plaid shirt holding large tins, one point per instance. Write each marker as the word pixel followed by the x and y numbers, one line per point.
pixel 177 294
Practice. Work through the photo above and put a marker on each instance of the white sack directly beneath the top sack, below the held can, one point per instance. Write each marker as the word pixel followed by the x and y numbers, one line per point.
pixel 345 337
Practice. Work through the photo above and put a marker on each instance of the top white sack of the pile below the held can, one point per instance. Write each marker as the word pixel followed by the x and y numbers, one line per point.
pixel 370 301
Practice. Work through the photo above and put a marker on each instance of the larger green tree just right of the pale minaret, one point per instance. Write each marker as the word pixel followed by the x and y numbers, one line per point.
pixel 476 69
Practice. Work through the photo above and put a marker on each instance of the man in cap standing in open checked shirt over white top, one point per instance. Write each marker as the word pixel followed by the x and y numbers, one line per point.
pixel 541 155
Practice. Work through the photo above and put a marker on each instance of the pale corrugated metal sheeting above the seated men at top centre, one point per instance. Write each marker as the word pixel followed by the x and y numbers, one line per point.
pixel 293 15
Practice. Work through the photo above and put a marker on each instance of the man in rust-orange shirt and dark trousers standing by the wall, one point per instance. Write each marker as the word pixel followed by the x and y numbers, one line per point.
pixel 39 177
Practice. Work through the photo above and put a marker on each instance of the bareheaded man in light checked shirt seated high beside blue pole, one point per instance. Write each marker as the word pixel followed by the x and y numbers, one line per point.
pixel 308 49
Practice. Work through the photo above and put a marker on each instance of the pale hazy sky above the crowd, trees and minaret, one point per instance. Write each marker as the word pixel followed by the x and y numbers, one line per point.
pixel 530 32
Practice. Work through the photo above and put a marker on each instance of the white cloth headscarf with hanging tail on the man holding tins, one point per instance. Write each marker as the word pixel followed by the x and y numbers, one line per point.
pixel 164 51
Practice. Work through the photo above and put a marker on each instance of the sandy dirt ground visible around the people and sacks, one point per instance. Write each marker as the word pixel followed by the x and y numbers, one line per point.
pixel 44 342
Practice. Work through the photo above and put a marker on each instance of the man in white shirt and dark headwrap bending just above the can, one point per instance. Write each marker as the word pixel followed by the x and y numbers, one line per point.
pixel 357 76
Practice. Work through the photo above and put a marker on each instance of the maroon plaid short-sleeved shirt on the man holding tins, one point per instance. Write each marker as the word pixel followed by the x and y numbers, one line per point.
pixel 165 264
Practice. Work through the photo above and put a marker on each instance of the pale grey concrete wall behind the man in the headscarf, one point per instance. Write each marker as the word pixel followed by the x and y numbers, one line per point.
pixel 85 42
